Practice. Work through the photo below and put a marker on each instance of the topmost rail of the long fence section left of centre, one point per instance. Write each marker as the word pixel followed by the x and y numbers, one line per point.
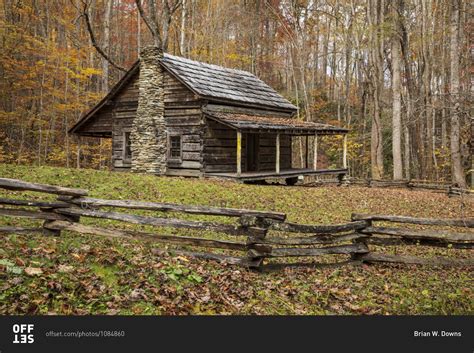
pixel 165 207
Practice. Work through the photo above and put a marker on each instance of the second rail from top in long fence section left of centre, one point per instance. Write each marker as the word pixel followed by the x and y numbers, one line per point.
pixel 160 222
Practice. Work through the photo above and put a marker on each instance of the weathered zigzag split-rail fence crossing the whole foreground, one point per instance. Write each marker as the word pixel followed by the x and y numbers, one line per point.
pixel 263 235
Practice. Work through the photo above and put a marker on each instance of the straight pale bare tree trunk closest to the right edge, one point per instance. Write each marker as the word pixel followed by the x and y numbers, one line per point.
pixel 457 170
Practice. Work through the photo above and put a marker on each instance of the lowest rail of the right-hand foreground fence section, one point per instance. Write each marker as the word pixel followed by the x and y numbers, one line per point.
pixel 412 260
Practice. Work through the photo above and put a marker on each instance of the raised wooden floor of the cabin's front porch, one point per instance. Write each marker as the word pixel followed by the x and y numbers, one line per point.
pixel 284 173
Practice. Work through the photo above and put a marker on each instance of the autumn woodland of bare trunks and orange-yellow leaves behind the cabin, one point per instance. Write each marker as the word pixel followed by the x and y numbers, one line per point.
pixel 385 69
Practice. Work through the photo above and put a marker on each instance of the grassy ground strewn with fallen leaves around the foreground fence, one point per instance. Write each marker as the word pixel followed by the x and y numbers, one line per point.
pixel 78 274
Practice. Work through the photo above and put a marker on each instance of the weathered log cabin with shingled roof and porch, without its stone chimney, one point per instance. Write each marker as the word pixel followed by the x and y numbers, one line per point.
pixel 219 122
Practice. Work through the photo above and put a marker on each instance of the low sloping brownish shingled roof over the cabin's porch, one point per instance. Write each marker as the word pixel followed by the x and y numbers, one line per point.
pixel 256 123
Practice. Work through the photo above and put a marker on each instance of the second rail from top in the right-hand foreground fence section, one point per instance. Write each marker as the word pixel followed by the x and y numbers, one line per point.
pixel 421 234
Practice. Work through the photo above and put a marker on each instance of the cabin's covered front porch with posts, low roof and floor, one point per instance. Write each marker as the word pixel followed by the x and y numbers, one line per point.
pixel 252 128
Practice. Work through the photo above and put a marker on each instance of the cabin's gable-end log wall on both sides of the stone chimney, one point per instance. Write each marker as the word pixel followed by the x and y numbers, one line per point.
pixel 183 117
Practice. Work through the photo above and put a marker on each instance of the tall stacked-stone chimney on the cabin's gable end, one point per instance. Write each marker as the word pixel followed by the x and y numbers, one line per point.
pixel 148 135
